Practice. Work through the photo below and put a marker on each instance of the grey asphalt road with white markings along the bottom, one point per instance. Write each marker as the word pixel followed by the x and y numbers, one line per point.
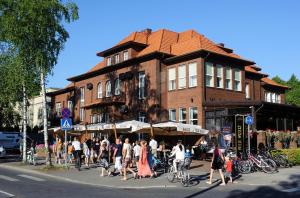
pixel 20 184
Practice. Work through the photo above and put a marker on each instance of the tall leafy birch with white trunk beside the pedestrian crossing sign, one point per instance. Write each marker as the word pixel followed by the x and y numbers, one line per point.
pixel 35 28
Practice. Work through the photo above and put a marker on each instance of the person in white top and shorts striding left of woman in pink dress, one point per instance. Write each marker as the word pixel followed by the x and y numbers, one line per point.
pixel 127 153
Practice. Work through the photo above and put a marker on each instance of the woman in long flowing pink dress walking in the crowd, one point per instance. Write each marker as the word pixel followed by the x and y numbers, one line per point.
pixel 143 166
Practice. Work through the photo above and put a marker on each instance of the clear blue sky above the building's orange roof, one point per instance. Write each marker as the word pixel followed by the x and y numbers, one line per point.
pixel 265 31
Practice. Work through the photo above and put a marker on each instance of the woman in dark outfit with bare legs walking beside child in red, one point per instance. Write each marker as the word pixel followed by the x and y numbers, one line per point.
pixel 217 164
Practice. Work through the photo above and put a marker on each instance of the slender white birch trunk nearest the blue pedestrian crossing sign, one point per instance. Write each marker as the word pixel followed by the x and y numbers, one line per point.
pixel 48 157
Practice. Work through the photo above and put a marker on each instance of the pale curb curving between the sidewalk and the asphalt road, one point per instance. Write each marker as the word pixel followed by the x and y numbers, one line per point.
pixel 80 182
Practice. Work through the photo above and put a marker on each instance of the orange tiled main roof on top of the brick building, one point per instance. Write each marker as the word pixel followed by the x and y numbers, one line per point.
pixel 174 43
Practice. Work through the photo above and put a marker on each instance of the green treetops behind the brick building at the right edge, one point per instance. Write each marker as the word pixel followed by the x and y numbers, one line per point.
pixel 292 95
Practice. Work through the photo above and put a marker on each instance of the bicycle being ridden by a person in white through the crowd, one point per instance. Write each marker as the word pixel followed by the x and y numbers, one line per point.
pixel 181 175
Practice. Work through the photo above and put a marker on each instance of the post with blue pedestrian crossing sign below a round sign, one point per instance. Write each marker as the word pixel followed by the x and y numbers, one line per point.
pixel 66 124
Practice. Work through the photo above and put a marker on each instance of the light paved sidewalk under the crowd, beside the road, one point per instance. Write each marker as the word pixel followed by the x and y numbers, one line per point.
pixel 199 173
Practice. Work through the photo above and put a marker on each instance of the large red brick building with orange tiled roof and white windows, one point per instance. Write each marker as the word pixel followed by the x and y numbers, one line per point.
pixel 183 77
